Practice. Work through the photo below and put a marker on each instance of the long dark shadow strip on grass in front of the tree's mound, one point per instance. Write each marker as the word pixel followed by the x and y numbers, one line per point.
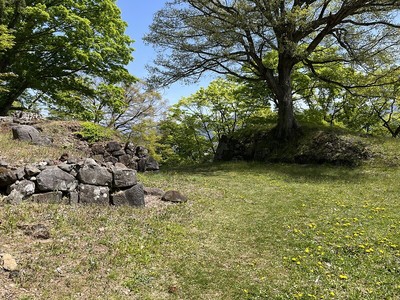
pixel 287 172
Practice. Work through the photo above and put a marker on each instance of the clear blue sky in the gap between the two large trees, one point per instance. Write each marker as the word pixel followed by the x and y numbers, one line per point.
pixel 139 15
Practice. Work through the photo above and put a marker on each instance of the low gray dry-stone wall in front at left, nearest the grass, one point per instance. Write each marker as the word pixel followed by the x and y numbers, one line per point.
pixel 71 181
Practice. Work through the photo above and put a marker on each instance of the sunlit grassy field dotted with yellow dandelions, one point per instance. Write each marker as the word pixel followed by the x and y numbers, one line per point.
pixel 249 231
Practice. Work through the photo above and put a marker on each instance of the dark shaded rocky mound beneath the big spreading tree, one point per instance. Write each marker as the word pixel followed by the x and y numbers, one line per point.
pixel 314 145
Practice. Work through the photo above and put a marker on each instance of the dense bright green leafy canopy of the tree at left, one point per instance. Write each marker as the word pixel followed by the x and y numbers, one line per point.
pixel 62 46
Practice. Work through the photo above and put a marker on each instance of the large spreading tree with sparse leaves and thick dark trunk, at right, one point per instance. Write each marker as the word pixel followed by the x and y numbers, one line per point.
pixel 234 37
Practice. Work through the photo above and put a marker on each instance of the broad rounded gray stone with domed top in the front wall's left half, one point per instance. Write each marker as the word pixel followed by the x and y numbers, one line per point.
pixel 55 179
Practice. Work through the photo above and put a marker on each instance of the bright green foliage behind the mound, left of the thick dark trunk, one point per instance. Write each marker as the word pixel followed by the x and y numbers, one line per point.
pixel 196 123
